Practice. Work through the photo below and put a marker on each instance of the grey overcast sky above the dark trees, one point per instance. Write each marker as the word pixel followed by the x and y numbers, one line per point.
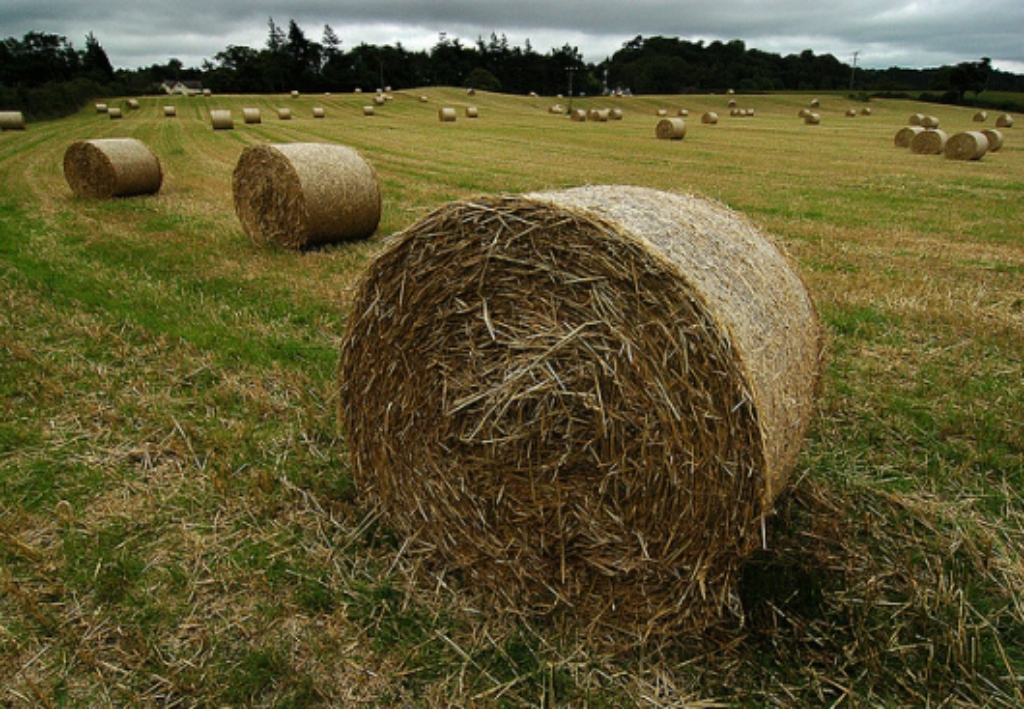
pixel 884 33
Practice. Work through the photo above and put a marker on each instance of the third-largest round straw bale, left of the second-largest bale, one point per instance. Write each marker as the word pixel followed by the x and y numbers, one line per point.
pixel 112 168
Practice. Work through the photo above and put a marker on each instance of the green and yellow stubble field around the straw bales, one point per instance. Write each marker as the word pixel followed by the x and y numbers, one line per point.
pixel 178 522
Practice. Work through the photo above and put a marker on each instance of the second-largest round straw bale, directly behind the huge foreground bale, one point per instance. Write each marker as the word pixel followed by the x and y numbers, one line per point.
pixel 306 194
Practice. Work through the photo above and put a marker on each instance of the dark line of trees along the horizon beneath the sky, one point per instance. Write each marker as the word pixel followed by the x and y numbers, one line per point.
pixel 44 74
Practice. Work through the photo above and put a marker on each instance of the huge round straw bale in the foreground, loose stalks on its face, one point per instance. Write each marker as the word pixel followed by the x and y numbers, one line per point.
pixel 584 400
